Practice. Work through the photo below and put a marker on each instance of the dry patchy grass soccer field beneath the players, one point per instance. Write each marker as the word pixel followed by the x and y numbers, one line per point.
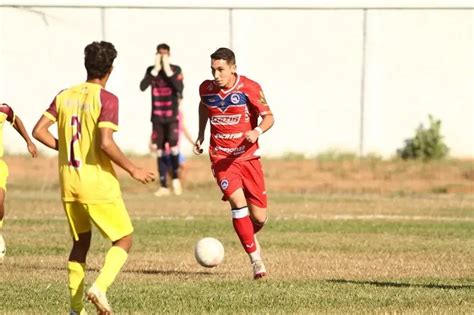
pixel 343 237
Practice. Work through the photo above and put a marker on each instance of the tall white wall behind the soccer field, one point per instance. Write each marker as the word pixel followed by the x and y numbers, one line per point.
pixel 320 69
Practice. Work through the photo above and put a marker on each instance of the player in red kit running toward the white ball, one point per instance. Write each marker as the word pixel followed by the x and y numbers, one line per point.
pixel 233 103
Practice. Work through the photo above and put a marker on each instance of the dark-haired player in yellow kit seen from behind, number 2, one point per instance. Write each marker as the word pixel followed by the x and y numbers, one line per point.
pixel 86 116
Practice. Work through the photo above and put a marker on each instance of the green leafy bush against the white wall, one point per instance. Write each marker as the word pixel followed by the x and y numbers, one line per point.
pixel 427 144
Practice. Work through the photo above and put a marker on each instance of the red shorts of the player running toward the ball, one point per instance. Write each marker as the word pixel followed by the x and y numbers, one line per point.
pixel 246 174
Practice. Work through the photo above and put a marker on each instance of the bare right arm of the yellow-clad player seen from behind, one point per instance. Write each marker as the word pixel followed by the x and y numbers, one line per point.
pixel 108 145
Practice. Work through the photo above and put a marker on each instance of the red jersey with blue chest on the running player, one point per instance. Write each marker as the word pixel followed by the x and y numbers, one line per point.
pixel 233 112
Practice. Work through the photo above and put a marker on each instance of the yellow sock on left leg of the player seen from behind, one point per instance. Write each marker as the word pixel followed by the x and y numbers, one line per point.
pixel 76 274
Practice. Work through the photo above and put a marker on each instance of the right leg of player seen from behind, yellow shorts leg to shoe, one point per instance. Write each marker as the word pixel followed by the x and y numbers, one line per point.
pixel 113 221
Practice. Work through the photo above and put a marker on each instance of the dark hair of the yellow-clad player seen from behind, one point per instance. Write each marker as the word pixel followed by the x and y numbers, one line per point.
pixel 98 59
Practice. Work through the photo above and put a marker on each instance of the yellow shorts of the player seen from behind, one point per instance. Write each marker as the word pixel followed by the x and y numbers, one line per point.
pixel 111 219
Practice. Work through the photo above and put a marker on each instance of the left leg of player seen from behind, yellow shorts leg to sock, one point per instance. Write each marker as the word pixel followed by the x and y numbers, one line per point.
pixel 80 229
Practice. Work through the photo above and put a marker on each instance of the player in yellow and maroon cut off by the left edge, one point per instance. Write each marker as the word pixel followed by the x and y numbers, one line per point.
pixel 7 114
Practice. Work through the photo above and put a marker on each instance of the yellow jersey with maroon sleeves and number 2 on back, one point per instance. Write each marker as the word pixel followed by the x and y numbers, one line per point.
pixel 85 171
